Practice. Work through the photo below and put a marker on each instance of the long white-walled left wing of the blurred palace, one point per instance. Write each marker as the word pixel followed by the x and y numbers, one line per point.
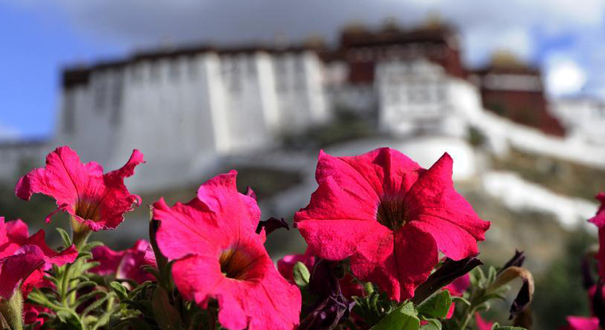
pixel 186 107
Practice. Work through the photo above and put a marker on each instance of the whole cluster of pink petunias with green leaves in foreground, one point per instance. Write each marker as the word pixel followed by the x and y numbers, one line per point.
pixel 391 245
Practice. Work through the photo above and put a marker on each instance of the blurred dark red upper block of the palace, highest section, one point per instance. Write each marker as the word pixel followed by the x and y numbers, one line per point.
pixel 361 51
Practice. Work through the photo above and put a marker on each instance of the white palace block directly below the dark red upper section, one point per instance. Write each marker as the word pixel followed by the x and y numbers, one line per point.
pixel 418 97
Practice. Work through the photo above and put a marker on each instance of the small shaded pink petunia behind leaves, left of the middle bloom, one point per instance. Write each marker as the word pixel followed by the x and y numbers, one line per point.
pixel 127 264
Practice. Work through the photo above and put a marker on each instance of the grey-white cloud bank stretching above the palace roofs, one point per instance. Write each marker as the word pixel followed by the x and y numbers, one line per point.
pixel 485 25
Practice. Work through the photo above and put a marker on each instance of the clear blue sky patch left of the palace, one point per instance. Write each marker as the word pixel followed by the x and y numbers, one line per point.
pixel 34 47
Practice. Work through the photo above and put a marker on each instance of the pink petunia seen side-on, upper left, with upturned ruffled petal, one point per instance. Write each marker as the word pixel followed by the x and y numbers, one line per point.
pixel 95 200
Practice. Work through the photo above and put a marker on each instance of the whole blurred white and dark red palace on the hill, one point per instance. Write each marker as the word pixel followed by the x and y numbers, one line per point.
pixel 184 108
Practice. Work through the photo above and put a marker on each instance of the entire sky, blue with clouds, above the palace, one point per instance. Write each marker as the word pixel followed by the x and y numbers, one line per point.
pixel 37 39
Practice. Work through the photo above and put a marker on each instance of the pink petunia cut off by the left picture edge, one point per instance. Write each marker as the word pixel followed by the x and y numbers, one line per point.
pixel 23 259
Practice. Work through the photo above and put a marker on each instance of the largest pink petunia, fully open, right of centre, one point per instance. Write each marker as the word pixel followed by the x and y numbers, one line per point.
pixel 390 217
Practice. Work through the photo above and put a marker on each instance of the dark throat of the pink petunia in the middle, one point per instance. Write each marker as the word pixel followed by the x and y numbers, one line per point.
pixel 238 264
